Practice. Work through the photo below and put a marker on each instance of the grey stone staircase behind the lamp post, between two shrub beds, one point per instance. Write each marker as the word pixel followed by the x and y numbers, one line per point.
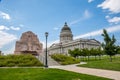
pixel 51 62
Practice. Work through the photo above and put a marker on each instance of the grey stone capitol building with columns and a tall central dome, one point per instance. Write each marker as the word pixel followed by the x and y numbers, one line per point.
pixel 66 42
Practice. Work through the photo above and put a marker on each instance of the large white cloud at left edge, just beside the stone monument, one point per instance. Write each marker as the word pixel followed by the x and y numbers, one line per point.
pixel 6 38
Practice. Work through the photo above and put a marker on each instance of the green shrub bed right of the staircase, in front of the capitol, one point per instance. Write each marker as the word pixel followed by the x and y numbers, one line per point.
pixel 64 59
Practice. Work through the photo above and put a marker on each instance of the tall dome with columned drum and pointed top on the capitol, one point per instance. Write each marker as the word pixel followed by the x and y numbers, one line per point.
pixel 66 34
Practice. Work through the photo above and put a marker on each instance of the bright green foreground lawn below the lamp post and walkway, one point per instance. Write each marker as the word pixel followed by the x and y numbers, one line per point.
pixel 43 74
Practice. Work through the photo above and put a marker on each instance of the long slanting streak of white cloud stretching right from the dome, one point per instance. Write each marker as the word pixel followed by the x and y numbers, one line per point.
pixel 99 32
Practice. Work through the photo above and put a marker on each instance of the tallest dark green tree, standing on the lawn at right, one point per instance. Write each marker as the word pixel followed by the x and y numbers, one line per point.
pixel 109 45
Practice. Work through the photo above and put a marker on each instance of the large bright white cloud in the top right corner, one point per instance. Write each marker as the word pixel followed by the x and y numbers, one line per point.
pixel 112 5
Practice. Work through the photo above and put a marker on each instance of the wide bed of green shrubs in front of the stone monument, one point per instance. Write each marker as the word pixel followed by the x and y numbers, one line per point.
pixel 19 60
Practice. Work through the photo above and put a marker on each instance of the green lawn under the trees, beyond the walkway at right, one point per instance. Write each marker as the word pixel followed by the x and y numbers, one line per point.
pixel 104 64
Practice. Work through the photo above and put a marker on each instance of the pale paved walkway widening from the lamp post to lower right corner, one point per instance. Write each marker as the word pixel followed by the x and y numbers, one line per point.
pixel 115 75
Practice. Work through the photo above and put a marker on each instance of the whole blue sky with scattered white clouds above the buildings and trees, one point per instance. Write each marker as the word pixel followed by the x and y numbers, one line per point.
pixel 86 18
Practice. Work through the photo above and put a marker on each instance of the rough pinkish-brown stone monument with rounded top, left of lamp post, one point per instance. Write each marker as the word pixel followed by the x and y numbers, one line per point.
pixel 28 44
